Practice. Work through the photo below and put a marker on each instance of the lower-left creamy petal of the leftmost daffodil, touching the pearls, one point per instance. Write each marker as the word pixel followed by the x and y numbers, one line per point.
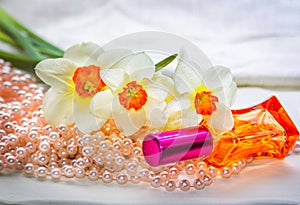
pixel 58 107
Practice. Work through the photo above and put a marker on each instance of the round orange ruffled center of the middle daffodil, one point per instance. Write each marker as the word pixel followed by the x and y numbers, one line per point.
pixel 133 96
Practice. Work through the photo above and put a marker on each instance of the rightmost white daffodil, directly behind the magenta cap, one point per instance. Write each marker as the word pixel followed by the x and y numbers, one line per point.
pixel 203 95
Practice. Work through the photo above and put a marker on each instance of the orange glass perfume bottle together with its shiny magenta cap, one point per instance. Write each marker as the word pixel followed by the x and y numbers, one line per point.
pixel 261 130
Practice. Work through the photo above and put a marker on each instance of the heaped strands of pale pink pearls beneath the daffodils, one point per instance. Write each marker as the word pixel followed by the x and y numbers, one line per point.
pixel 29 144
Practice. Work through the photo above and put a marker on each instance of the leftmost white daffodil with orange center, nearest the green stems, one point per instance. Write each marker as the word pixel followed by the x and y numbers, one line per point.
pixel 74 80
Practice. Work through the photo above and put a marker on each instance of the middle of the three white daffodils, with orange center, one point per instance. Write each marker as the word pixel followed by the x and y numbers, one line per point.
pixel 137 100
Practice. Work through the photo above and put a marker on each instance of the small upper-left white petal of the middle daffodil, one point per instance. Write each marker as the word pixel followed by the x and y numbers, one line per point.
pixel 113 78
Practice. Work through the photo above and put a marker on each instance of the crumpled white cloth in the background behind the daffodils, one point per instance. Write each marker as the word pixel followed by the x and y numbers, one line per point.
pixel 258 40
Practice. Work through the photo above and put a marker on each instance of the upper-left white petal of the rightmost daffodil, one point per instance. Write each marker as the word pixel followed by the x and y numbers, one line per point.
pixel 187 78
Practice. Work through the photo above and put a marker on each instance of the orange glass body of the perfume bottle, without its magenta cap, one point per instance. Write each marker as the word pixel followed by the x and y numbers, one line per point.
pixel 261 130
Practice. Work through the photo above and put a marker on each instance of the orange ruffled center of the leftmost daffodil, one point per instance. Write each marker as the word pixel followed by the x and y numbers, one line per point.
pixel 88 81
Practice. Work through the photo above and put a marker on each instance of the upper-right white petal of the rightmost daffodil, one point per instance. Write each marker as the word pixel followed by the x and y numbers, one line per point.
pixel 216 77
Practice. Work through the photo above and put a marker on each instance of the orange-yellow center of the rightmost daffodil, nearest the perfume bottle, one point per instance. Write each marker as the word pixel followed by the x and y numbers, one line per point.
pixel 204 101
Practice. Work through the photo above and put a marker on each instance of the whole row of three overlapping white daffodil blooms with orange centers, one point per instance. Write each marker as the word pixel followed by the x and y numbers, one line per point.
pixel 88 86
